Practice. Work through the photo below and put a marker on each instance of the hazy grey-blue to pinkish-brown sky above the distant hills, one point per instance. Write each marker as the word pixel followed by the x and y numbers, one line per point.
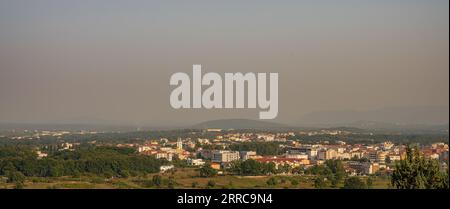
pixel 110 61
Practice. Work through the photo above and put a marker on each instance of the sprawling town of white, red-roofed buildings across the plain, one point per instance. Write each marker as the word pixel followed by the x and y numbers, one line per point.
pixel 359 159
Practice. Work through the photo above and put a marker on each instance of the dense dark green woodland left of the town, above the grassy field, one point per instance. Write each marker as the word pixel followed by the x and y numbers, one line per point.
pixel 102 161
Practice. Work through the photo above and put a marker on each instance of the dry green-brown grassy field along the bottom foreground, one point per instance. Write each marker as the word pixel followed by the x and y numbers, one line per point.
pixel 181 178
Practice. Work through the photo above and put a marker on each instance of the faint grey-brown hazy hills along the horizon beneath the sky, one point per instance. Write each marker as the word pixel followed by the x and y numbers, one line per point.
pixel 408 120
